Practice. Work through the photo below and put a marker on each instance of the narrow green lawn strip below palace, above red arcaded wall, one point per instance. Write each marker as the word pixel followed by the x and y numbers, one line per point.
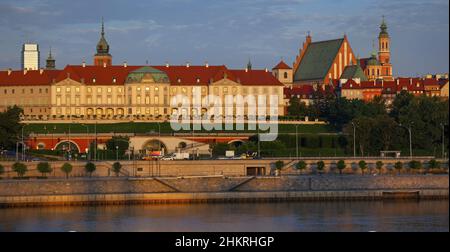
pixel 142 128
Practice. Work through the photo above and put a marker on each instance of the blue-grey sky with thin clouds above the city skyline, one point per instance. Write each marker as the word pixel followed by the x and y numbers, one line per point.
pixel 228 32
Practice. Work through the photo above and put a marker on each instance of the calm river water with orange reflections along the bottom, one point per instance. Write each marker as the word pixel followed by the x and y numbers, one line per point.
pixel 365 216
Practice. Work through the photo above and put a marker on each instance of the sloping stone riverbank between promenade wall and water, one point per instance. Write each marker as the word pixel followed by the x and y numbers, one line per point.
pixel 112 191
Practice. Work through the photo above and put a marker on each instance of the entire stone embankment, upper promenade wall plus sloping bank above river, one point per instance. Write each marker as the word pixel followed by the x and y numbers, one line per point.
pixel 220 181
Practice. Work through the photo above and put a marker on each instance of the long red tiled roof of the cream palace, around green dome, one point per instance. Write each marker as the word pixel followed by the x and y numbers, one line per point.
pixel 178 75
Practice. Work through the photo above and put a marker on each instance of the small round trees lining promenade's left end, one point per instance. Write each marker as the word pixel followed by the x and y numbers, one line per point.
pixel 45 168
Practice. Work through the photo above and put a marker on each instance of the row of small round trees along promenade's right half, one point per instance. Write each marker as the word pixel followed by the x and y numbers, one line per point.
pixel 363 165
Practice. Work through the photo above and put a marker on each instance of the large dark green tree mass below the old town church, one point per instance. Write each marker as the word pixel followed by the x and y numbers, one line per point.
pixel 380 127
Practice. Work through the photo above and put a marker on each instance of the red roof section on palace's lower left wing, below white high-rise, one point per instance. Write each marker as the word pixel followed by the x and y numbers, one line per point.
pixel 28 78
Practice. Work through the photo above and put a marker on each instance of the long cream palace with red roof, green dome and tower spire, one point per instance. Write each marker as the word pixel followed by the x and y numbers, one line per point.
pixel 106 91
